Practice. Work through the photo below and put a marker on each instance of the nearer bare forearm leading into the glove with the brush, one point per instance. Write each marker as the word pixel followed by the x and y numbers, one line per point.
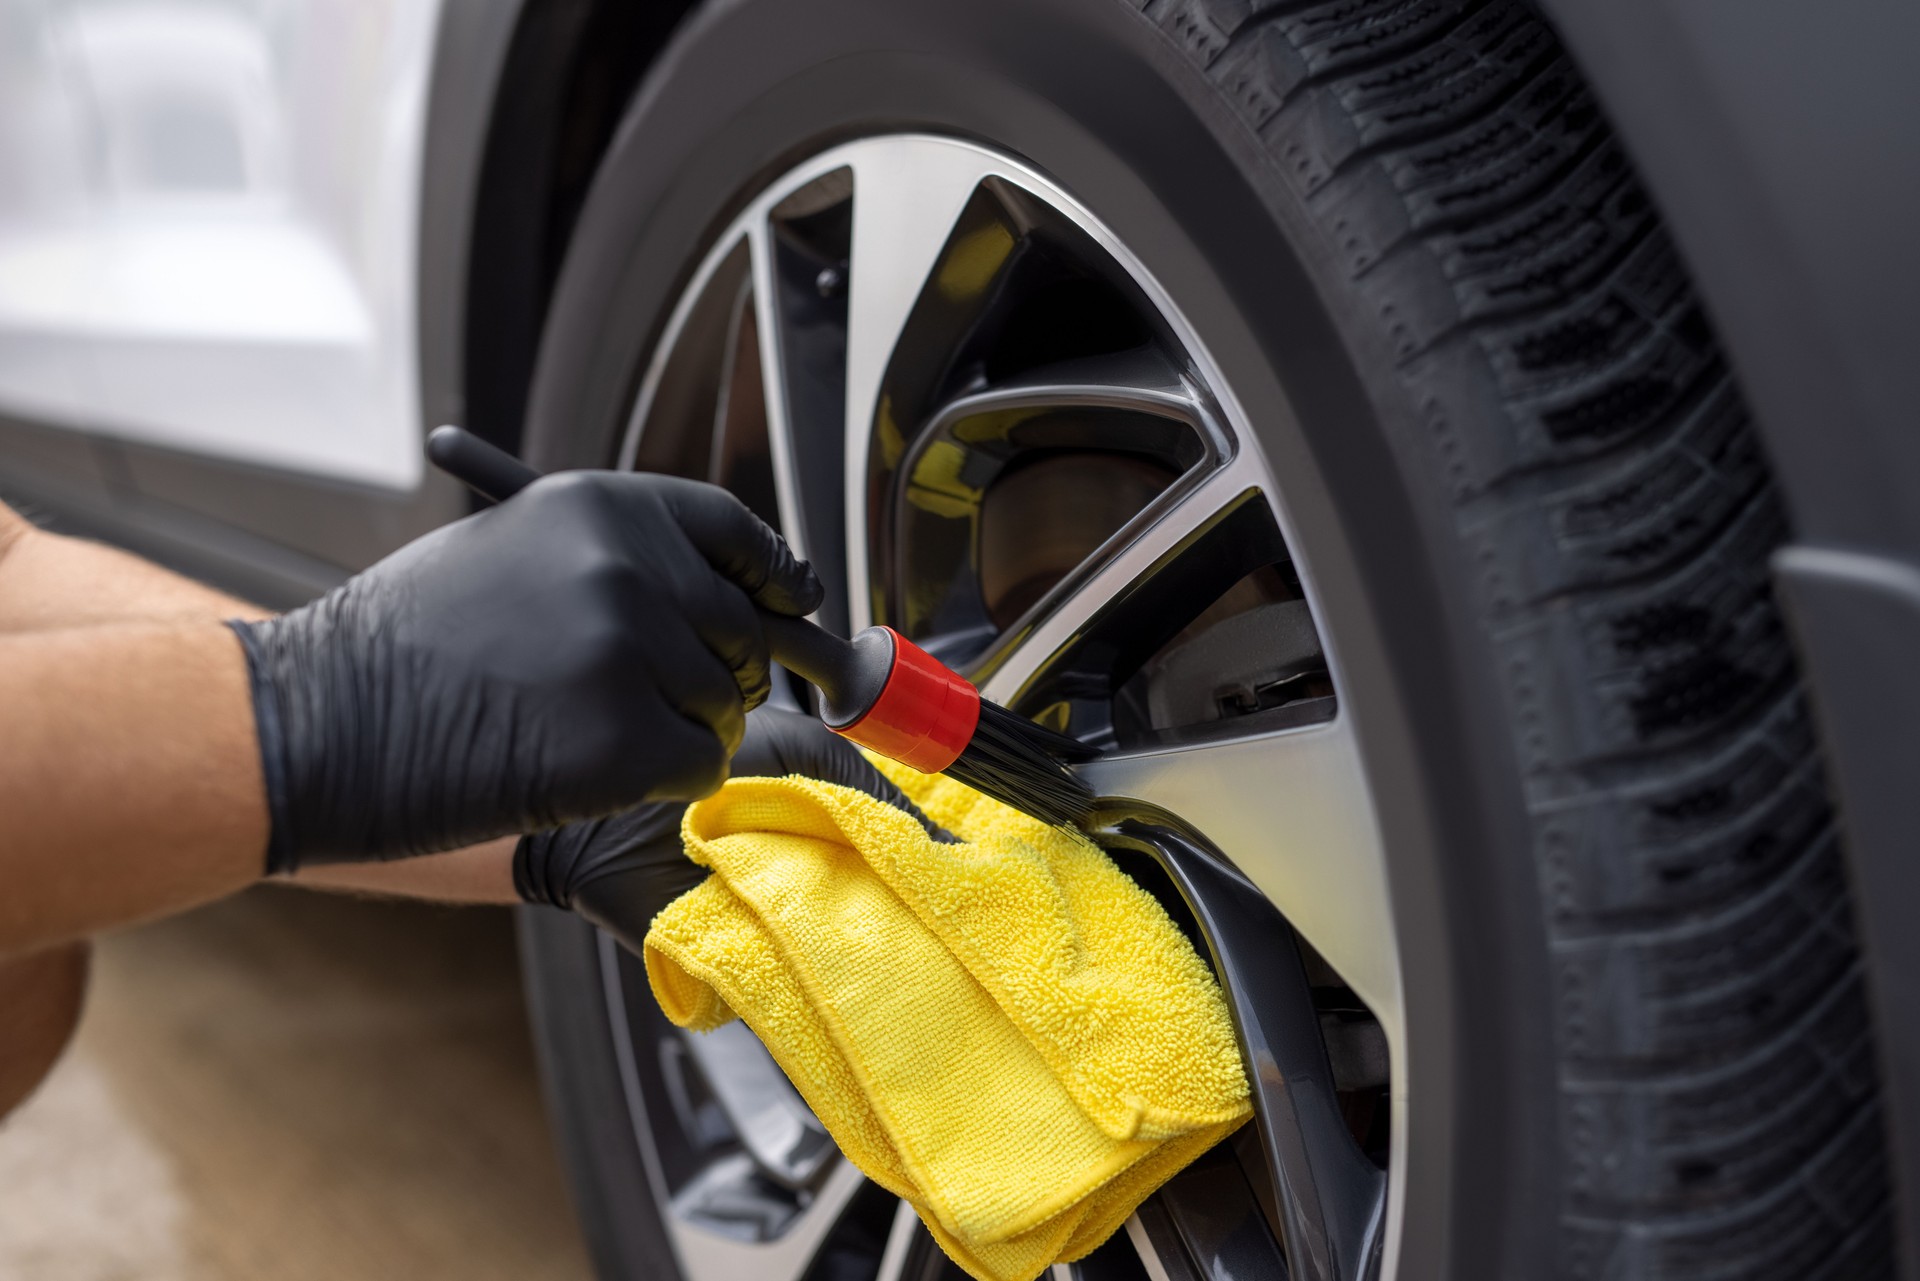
pixel 130 779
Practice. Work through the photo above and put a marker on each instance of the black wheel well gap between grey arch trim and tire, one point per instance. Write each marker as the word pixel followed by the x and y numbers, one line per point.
pixel 567 78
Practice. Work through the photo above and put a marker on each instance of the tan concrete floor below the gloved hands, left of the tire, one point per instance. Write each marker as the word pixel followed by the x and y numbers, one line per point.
pixel 293 1088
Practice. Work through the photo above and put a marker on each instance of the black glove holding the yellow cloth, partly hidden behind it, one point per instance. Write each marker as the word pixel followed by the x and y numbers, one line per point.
pixel 621 871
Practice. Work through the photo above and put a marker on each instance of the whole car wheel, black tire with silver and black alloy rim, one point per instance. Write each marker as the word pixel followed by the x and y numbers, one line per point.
pixel 1303 406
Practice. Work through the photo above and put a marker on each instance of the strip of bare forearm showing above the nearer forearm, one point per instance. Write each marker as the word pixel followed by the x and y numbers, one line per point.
pixel 49 581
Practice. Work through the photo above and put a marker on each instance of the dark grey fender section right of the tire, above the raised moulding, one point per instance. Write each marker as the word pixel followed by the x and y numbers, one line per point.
pixel 1769 139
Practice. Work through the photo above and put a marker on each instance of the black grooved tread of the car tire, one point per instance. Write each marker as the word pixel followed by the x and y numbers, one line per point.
pixel 1717 1075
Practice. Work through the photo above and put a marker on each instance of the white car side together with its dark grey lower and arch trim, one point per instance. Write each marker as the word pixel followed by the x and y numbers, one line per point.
pixel 287 502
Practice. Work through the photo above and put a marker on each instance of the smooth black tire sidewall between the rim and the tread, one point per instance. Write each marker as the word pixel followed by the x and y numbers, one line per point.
pixel 1109 107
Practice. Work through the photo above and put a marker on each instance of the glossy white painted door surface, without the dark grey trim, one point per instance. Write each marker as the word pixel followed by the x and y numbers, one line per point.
pixel 208 226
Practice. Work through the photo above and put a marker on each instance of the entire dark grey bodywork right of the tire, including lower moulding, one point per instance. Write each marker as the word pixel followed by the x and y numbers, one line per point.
pixel 1783 145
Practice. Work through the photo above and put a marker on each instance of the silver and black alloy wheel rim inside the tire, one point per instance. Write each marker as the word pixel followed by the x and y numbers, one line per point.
pixel 1260 819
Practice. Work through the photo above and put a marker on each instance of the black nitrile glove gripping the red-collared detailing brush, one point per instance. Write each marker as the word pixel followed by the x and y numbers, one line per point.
pixel 587 646
